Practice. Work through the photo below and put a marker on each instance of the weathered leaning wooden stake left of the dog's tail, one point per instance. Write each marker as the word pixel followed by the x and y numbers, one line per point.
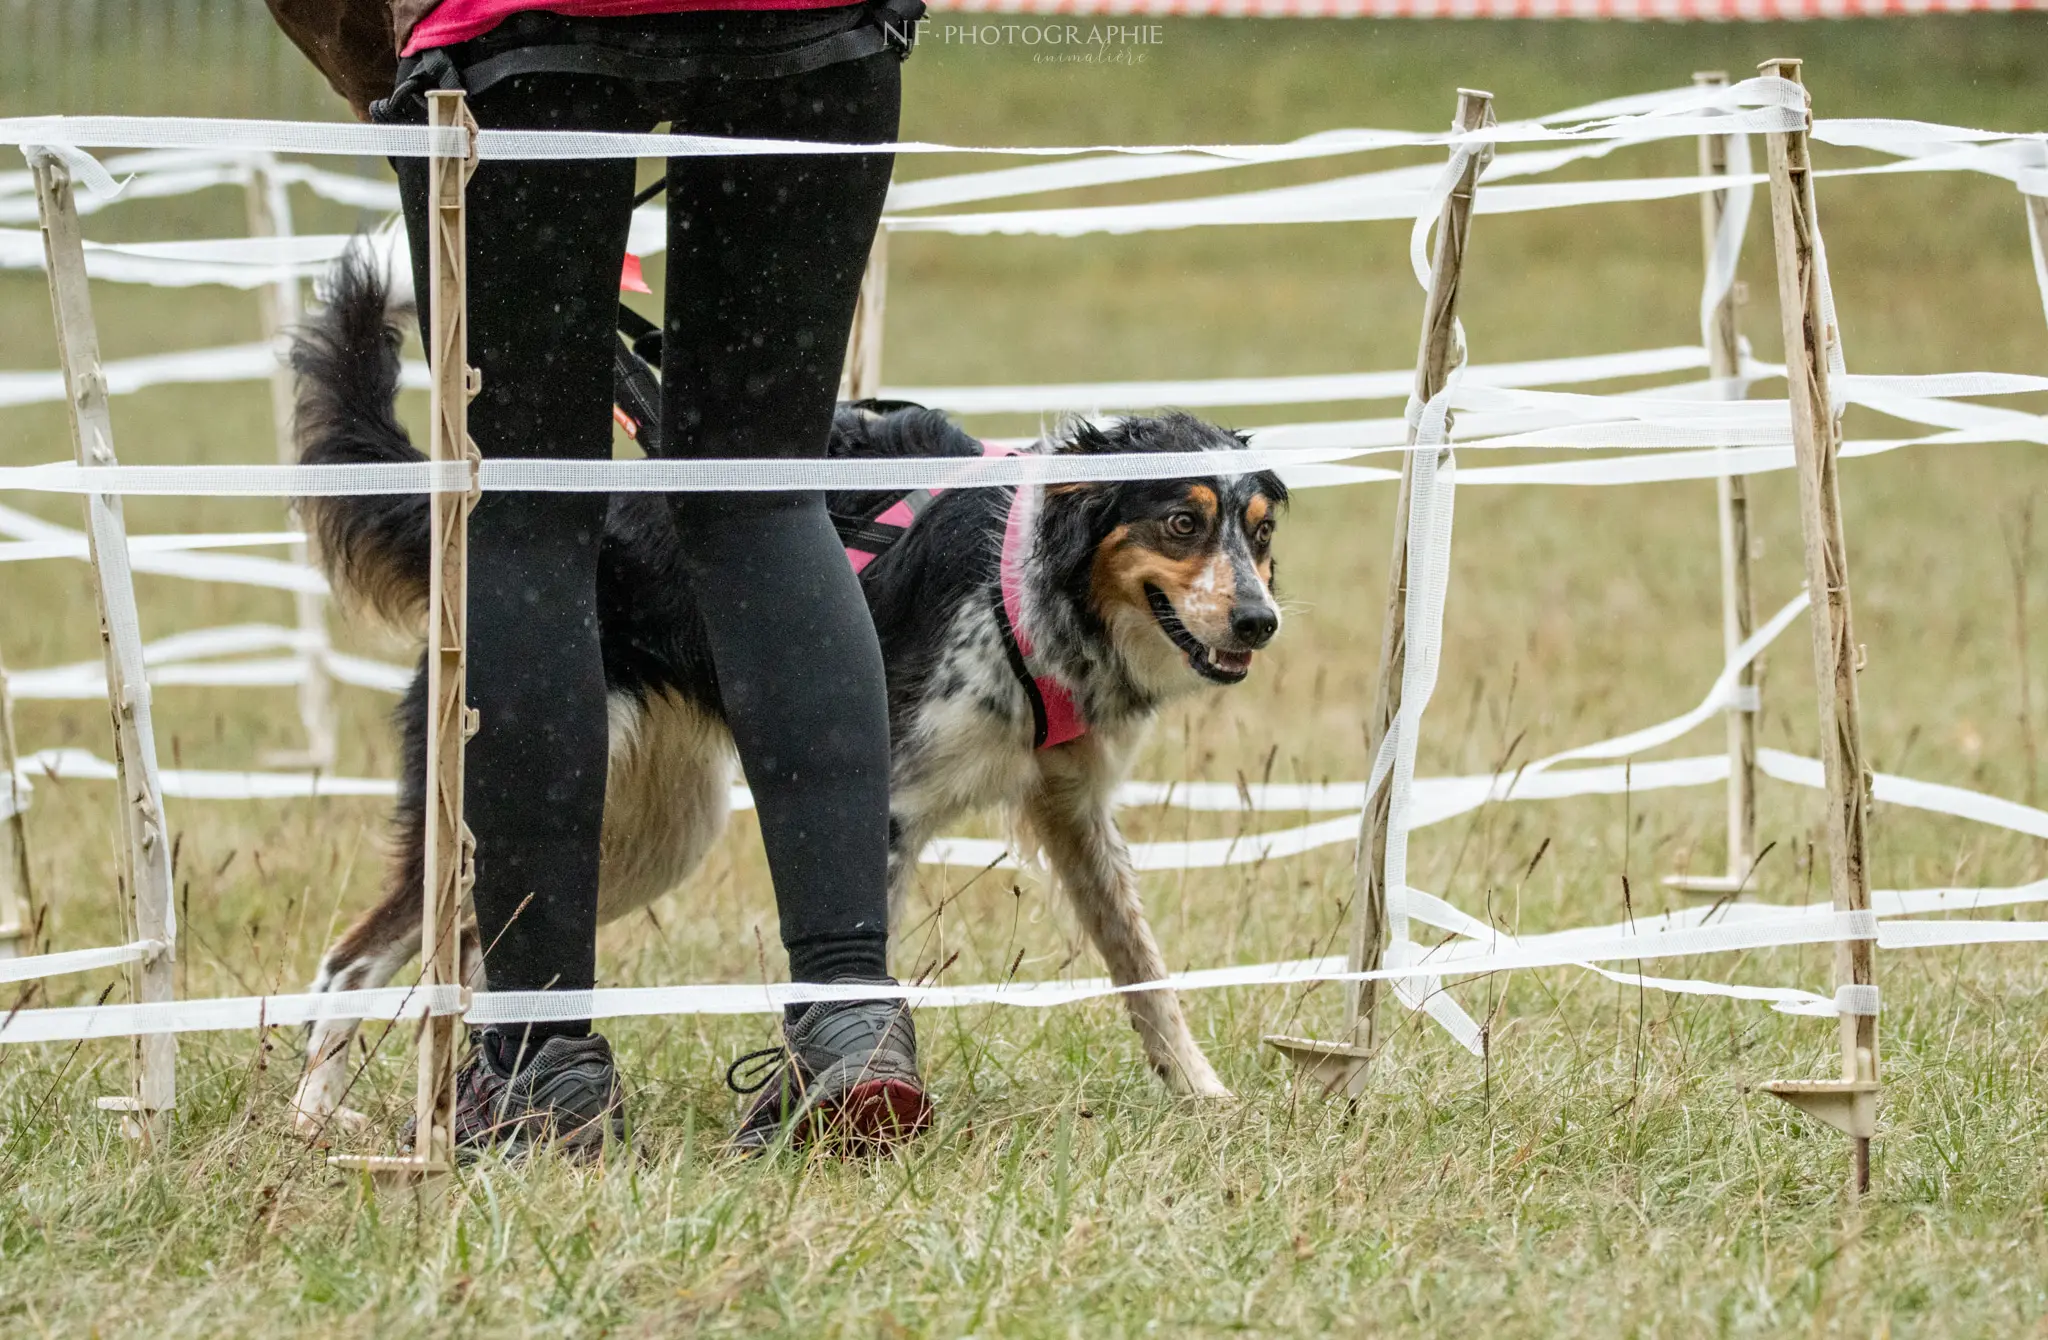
pixel 146 847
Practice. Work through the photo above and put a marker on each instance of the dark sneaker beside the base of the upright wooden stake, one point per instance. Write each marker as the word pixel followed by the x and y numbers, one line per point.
pixel 562 1093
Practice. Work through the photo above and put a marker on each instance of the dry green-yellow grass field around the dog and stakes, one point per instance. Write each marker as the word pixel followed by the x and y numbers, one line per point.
pixel 1605 1173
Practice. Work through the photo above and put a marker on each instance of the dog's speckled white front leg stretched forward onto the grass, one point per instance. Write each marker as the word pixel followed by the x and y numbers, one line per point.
pixel 1070 812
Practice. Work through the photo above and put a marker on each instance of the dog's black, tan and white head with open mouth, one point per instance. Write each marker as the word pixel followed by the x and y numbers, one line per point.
pixel 1177 573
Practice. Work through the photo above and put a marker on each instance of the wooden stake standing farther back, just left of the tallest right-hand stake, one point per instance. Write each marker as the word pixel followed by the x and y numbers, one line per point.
pixel 1738 605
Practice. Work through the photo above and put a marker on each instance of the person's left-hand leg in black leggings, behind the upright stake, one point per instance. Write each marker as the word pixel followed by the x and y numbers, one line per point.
pixel 546 247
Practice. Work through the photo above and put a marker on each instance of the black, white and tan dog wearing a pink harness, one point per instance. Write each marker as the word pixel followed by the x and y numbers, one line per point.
pixel 1031 636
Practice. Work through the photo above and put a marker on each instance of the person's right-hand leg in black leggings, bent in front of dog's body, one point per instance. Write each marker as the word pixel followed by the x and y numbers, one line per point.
pixel 765 267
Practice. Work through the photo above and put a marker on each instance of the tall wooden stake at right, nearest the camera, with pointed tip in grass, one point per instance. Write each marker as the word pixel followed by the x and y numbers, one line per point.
pixel 1850 1103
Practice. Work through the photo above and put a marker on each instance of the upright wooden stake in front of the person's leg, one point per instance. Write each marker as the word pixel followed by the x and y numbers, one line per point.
pixel 450 722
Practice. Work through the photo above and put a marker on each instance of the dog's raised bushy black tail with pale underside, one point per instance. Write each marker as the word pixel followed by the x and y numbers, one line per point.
pixel 376 548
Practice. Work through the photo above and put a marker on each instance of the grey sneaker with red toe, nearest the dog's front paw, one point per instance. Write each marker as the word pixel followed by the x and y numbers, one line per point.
pixel 847 1073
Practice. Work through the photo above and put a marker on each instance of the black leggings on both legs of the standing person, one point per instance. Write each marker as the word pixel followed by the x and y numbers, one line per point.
pixel 765 261
